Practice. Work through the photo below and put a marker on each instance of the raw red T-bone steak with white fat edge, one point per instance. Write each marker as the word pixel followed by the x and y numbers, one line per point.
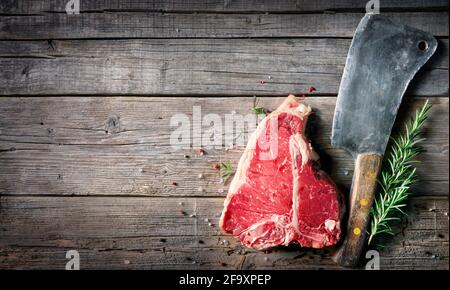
pixel 278 195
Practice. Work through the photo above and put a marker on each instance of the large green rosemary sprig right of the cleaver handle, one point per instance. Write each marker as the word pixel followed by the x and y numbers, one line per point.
pixel 397 175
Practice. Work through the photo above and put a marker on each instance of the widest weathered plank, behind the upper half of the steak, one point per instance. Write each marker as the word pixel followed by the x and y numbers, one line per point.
pixel 121 145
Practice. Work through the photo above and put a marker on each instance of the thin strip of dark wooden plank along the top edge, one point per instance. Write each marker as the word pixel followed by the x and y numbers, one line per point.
pixel 288 6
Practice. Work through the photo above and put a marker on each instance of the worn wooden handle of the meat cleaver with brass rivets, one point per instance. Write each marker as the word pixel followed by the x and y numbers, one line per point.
pixel 362 193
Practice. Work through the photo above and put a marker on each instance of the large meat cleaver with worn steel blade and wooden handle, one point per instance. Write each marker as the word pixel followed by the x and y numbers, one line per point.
pixel 382 59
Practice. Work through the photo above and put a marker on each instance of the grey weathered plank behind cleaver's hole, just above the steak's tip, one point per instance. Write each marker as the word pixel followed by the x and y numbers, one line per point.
pixel 190 66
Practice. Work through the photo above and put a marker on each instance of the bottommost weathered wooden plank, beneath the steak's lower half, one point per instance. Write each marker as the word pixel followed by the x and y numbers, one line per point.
pixel 150 233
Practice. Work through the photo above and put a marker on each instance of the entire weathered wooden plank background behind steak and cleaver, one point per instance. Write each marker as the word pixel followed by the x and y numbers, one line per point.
pixel 85 105
